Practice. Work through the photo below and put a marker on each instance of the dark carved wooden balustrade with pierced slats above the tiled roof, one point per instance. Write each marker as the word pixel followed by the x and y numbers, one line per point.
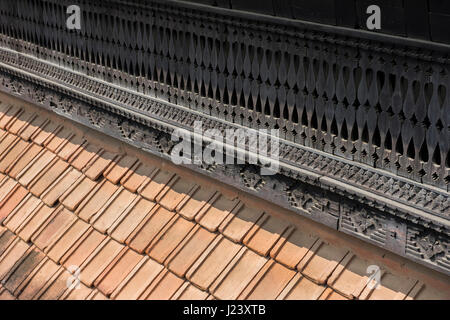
pixel 364 122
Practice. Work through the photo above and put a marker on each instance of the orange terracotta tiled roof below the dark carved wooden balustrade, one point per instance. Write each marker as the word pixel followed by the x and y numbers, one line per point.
pixel 139 231
